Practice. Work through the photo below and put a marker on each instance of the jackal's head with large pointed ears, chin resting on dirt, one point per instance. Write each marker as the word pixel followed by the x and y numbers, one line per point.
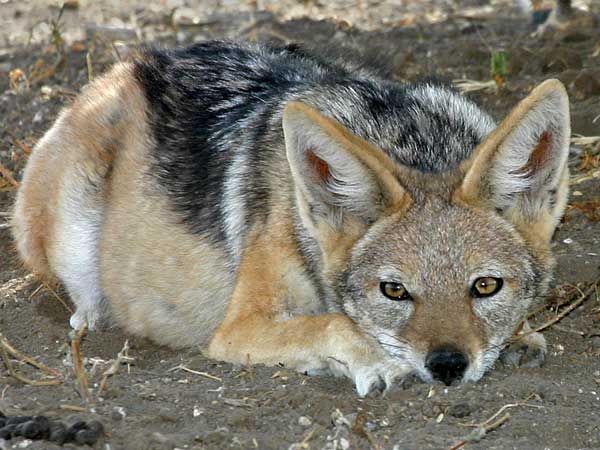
pixel 439 267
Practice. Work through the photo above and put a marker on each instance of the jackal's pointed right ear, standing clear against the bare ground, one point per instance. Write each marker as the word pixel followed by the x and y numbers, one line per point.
pixel 521 167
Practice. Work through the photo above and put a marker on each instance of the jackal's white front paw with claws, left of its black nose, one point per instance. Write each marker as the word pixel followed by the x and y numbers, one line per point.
pixel 368 378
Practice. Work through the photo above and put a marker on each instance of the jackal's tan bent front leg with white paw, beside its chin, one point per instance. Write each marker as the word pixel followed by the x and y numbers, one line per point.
pixel 253 332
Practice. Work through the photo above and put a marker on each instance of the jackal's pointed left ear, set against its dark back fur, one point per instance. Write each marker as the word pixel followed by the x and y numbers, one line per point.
pixel 335 172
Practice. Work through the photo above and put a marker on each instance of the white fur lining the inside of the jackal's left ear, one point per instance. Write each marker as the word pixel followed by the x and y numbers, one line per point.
pixel 332 180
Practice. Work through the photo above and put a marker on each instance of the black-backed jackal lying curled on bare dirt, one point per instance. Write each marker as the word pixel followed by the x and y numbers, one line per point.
pixel 274 207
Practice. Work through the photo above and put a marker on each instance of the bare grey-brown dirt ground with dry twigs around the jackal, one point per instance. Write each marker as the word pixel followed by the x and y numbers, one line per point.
pixel 167 399
